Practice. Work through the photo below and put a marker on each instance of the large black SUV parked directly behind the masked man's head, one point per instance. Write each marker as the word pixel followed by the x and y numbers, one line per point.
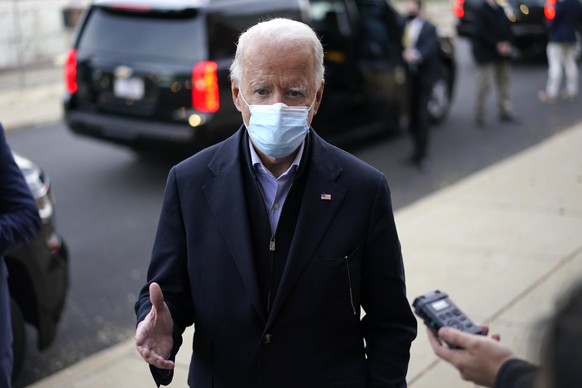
pixel 152 74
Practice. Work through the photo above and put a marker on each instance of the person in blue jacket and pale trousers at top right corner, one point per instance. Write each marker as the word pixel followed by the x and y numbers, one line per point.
pixel 561 51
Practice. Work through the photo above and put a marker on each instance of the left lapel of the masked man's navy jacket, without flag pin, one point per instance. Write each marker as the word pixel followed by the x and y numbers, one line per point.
pixel 226 198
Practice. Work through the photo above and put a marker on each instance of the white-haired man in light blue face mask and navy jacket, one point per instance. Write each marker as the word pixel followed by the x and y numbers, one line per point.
pixel 272 241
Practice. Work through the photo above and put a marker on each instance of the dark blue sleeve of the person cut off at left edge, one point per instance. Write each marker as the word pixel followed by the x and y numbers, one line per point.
pixel 19 218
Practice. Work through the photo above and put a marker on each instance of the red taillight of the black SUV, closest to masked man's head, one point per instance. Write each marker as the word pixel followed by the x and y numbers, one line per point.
pixel 205 93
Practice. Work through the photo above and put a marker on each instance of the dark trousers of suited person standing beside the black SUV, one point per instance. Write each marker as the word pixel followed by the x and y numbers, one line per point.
pixel 418 125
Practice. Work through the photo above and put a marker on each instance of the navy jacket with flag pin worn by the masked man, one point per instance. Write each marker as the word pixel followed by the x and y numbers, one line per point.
pixel 313 336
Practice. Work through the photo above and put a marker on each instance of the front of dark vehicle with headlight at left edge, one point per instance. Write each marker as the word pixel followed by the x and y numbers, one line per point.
pixel 39 271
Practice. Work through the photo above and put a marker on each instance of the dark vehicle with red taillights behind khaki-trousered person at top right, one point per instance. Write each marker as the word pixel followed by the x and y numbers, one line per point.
pixel 528 22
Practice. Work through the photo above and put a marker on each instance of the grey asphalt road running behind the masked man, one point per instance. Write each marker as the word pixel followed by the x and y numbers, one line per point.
pixel 108 200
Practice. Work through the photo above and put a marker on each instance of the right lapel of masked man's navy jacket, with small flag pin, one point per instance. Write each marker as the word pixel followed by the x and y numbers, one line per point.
pixel 321 200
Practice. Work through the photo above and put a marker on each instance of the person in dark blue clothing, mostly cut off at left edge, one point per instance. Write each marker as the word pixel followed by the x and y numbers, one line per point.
pixel 19 222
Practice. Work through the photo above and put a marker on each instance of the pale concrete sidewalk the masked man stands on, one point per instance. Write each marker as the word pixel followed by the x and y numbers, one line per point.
pixel 504 243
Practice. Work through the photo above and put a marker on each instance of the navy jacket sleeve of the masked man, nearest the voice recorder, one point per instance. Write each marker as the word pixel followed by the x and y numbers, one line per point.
pixel 389 327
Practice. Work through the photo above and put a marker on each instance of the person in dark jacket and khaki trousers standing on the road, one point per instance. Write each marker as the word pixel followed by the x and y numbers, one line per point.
pixel 492 50
